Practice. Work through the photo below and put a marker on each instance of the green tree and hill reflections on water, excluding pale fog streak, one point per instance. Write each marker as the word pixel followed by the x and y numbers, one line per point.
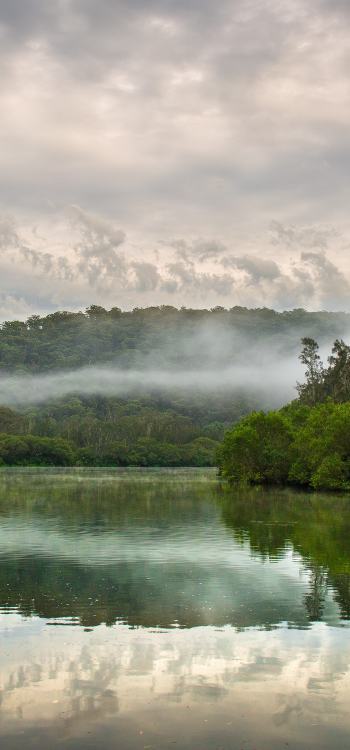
pixel 150 594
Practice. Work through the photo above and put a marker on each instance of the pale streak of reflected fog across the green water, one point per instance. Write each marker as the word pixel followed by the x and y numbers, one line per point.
pixel 137 543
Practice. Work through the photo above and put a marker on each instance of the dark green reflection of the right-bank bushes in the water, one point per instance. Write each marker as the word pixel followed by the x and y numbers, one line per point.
pixel 316 526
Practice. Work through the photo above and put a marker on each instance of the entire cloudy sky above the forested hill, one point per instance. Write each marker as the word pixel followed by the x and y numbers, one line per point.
pixel 183 152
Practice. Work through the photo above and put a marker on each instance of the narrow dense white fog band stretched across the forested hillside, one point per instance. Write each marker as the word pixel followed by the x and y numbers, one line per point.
pixel 273 383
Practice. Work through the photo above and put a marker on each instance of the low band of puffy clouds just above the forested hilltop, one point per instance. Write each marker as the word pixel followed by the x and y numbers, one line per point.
pixel 96 261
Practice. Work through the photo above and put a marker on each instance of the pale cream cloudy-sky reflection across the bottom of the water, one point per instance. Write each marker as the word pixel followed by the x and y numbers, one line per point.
pixel 279 685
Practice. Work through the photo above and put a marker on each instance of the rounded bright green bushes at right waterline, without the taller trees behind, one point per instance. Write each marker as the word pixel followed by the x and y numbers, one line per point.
pixel 312 451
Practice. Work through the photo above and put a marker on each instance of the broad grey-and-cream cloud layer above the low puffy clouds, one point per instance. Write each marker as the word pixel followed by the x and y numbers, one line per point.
pixel 174 111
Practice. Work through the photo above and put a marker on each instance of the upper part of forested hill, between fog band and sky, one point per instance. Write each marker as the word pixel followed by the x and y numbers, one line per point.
pixel 67 340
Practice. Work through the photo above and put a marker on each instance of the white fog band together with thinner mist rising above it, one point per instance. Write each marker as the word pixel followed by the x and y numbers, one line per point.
pixel 210 357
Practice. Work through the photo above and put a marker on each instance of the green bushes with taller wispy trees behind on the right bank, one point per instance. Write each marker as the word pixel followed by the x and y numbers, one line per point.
pixel 306 443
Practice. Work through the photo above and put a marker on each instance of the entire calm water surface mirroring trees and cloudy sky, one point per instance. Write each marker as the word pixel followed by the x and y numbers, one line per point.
pixel 146 610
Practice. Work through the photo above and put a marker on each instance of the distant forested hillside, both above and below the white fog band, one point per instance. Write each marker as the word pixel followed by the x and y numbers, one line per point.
pixel 152 427
